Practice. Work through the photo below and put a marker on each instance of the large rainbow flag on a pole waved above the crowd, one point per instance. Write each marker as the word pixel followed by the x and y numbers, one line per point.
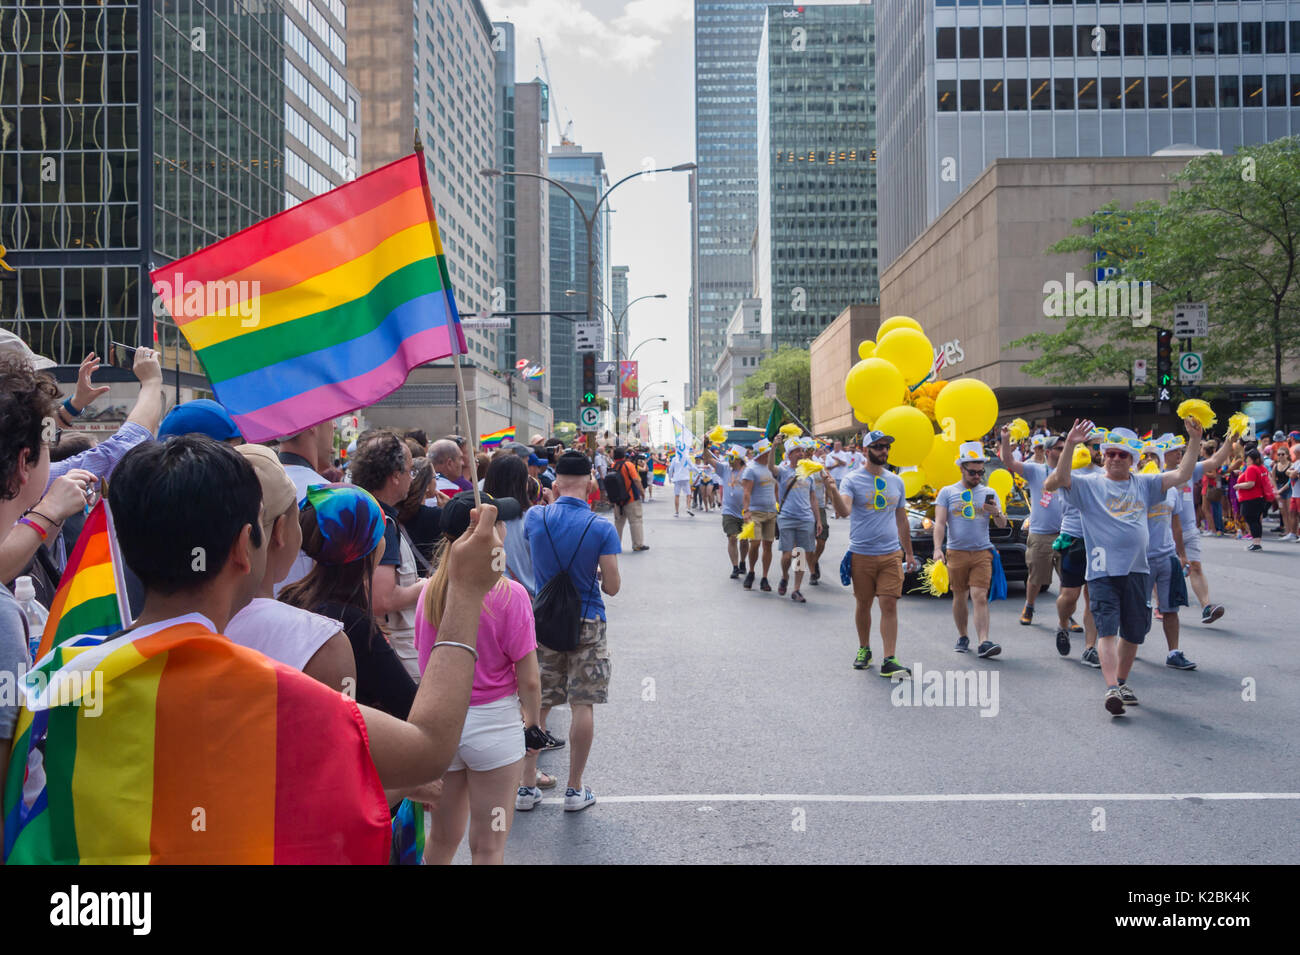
pixel 323 309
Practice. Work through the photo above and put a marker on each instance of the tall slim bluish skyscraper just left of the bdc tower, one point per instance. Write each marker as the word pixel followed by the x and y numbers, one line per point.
pixel 725 190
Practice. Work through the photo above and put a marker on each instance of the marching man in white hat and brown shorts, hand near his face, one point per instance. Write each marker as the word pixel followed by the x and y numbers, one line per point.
pixel 963 511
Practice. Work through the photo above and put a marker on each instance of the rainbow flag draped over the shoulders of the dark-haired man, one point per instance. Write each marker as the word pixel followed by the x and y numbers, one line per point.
pixel 174 745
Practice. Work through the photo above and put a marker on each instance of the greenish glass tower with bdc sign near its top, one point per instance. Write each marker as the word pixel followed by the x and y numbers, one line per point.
pixel 817 177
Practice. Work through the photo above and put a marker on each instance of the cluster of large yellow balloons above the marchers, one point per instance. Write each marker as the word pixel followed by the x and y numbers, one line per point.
pixel 894 390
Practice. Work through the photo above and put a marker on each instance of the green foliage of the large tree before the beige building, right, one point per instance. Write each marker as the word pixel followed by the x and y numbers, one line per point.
pixel 1229 236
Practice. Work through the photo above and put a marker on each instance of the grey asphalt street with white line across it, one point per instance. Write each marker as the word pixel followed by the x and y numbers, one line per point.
pixel 738 731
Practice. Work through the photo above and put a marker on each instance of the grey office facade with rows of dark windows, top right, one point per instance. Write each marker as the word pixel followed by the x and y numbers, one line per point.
pixel 974 84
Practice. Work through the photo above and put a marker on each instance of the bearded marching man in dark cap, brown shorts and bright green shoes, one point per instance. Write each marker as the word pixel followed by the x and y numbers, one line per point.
pixel 874 501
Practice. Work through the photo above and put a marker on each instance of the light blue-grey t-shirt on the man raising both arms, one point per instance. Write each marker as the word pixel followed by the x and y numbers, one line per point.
pixel 1115 520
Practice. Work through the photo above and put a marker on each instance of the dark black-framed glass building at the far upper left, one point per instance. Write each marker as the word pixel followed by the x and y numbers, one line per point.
pixel 132 134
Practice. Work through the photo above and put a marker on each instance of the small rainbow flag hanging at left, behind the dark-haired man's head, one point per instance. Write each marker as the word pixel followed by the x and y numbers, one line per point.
pixel 92 598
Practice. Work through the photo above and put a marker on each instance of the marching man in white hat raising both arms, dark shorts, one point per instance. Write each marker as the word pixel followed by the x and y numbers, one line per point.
pixel 1113 510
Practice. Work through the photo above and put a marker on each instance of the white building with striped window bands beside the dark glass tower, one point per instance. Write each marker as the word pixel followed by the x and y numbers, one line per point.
pixel 323 129
